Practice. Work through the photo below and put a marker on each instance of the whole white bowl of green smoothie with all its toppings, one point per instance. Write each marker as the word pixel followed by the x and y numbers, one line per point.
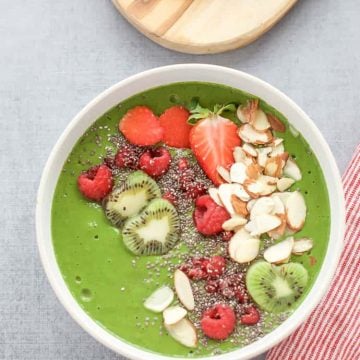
pixel 190 211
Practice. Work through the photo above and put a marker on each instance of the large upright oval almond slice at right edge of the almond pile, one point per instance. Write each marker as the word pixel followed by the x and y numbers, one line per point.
pixel 295 211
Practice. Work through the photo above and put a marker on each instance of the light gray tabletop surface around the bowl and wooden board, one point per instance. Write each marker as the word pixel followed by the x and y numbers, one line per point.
pixel 55 56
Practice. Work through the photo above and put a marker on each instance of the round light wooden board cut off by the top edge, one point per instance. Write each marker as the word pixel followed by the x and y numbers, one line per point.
pixel 203 26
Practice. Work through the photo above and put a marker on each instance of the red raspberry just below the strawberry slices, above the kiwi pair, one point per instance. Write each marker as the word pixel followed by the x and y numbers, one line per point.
pixel 155 162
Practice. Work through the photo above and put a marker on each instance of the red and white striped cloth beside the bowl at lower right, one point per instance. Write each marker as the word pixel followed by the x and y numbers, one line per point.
pixel 332 332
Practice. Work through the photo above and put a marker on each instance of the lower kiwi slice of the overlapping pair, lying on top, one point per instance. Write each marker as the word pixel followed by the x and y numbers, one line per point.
pixel 154 231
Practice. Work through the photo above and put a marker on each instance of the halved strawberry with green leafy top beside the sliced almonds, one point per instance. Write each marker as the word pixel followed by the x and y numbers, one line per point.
pixel 213 140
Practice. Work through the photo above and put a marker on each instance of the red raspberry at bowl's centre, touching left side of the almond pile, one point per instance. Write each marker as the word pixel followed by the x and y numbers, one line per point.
pixel 208 216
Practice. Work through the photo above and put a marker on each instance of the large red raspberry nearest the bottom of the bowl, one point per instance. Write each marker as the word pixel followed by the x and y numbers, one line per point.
pixel 218 322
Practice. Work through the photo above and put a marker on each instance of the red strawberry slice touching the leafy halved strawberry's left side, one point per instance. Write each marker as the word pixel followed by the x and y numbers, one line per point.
pixel 175 126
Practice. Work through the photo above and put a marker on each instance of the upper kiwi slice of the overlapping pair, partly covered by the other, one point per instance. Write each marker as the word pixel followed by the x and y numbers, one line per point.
pixel 131 197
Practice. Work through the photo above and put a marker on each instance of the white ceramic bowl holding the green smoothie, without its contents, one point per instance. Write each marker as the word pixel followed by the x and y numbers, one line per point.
pixel 162 76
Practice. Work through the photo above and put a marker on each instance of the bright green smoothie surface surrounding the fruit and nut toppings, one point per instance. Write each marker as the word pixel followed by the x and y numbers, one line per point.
pixel 109 282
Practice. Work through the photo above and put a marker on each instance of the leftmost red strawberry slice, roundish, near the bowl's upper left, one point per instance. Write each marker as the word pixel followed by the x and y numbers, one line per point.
pixel 141 127
